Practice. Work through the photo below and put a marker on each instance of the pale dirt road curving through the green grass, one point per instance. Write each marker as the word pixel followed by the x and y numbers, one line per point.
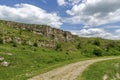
pixel 68 72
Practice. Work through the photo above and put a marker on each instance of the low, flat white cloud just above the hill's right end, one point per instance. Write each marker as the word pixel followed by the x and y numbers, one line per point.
pixel 96 32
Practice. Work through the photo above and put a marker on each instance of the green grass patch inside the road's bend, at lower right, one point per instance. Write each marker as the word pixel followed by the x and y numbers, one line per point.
pixel 98 70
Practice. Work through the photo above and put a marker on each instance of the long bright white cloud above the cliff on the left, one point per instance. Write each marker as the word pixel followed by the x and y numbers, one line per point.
pixel 31 14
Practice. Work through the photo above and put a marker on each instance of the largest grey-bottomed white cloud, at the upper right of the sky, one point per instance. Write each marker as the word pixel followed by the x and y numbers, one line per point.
pixel 94 12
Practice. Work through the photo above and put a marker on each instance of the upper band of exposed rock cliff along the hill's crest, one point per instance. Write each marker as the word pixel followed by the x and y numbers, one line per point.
pixel 44 30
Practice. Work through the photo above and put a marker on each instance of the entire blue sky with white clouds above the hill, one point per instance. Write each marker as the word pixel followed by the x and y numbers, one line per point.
pixel 86 18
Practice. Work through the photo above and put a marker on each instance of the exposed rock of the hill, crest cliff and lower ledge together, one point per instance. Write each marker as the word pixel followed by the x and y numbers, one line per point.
pixel 51 35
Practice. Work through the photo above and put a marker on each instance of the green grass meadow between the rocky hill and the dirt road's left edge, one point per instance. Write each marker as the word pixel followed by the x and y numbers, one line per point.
pixel 28 61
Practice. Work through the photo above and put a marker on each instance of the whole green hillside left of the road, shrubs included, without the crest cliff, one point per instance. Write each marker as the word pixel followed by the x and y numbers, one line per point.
pixel 20 48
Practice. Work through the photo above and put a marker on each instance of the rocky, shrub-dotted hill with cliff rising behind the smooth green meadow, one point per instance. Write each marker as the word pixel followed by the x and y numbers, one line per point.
pixel 48 37
